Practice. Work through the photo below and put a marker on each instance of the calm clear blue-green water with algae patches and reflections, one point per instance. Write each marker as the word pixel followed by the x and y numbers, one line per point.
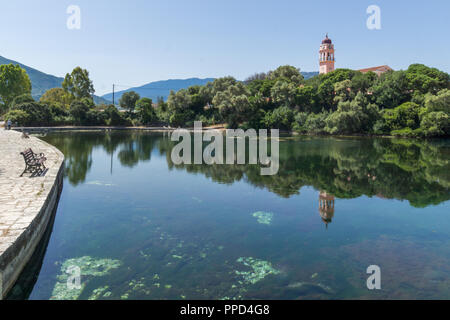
pixel 140 227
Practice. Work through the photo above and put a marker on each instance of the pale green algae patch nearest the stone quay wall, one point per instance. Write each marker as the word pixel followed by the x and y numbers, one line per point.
pixel 89 267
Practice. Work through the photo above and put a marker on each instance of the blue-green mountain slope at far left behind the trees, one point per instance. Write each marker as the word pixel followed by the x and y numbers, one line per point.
pixel 41 82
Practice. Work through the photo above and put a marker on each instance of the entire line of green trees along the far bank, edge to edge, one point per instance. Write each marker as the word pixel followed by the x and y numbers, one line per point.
pixel 415 102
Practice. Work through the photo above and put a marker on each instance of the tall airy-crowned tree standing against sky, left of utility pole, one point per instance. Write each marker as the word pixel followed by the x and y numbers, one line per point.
pixel 78 84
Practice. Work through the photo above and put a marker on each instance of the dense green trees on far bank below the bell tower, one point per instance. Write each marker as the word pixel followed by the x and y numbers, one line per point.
pixel 414 102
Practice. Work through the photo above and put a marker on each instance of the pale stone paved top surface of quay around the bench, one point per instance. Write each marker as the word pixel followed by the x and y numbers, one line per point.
pixel 21 198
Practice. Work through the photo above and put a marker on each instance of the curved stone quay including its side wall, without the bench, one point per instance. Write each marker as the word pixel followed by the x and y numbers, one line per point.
pixel 27 205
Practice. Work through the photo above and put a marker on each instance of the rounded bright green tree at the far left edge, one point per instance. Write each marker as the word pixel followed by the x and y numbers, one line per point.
pixel 14 81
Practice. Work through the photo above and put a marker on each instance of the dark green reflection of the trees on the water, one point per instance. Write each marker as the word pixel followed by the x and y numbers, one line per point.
pixel 417 171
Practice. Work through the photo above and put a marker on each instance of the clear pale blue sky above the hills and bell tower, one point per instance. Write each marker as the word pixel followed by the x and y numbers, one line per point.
pixel 134 42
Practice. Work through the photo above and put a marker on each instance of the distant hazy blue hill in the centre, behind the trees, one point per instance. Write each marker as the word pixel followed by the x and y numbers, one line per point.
pixel 153 90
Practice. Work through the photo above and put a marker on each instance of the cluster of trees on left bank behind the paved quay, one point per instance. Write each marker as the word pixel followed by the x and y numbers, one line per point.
pixel 71 104
